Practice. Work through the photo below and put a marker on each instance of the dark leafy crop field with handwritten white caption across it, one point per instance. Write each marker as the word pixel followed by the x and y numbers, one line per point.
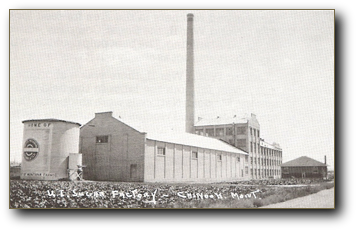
pixel 93 194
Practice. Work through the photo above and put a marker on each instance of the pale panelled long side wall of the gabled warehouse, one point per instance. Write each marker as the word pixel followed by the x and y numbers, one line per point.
pixel 179 164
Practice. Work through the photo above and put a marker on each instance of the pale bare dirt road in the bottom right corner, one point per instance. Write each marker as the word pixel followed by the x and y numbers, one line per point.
pixel 322 199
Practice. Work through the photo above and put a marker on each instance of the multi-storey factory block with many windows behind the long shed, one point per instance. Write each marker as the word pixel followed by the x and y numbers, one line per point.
pixel 244 133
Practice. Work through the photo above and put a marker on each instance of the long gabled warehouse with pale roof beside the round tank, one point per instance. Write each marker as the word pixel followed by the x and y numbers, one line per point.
pixel 113 150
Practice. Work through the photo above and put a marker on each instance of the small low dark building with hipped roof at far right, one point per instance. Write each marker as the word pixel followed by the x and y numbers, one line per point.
pixel 304 167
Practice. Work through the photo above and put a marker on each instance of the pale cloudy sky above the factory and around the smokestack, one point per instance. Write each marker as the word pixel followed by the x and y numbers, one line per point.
pixel 277 64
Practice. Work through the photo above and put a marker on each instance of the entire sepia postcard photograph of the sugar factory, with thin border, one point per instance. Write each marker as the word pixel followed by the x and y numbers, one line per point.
pixel 172 109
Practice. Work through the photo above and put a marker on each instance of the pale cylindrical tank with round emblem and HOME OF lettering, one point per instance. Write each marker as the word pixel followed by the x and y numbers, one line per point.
pixel 46 147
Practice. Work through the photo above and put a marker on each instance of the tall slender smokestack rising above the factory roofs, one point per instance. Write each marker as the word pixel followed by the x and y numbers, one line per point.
pixel 189 104
